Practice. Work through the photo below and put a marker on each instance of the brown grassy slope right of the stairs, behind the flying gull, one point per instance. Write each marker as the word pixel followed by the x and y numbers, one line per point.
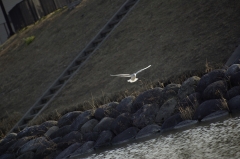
pixel 173 36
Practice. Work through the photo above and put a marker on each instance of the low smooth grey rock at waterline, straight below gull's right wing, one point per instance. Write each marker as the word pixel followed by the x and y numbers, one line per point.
pixel 148 130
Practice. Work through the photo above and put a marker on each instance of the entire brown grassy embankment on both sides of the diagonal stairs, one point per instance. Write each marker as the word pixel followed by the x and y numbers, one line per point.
pixel 173 36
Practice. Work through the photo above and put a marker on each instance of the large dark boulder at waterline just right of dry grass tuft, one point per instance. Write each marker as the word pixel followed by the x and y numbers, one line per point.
pixel 208 107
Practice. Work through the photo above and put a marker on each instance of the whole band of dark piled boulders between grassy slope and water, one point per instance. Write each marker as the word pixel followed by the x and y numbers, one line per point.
pixel 155 110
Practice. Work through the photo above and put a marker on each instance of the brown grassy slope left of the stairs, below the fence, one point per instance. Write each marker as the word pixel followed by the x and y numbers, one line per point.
pixel 27 71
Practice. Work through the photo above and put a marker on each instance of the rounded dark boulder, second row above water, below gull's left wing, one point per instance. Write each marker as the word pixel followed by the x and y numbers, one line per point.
pixel 121 123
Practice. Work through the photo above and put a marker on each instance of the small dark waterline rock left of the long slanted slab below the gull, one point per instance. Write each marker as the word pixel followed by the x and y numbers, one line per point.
pixel 104 139
